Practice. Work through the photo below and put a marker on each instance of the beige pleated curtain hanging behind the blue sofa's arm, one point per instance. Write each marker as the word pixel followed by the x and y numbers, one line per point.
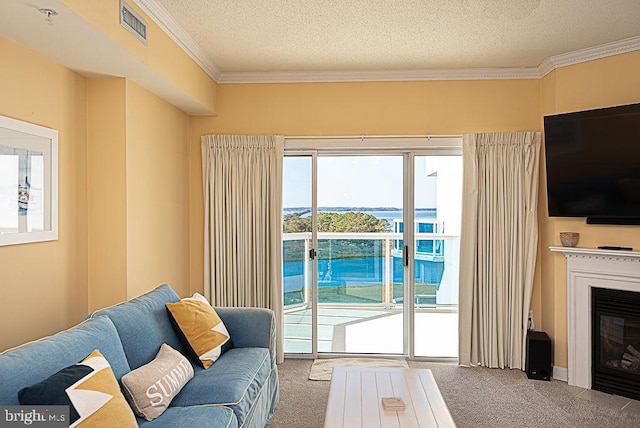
pixel 243 222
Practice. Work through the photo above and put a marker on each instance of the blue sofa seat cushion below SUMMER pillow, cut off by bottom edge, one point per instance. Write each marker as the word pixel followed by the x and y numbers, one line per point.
pixel 193 417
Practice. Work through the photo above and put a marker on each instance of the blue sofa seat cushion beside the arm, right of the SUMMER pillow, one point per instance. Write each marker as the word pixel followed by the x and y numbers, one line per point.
pixel 235 380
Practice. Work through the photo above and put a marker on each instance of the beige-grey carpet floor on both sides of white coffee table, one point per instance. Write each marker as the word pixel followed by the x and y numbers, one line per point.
pixel 476 397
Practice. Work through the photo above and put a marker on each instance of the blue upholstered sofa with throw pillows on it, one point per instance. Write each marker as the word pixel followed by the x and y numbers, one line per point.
pixel 239 390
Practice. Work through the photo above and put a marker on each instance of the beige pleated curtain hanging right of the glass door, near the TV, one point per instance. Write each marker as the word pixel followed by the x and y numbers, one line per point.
pixel 498 246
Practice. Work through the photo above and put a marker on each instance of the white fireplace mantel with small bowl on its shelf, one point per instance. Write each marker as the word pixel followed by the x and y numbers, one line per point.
pixel 588 268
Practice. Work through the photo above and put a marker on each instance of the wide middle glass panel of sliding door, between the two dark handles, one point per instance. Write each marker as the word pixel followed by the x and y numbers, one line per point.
pixel 359 279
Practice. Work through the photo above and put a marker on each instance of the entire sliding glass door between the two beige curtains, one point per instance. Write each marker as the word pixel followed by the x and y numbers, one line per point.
pixel 356 278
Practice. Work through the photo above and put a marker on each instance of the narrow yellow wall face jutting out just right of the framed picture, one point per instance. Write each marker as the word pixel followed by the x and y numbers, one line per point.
pixel 106 179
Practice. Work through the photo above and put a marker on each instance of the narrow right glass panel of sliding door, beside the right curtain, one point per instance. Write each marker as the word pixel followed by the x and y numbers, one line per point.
pixel 437 216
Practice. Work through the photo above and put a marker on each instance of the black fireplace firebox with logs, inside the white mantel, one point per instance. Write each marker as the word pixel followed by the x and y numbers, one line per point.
pixel 615 342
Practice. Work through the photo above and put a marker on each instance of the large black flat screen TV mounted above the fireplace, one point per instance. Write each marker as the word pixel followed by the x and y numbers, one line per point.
pixel 593 164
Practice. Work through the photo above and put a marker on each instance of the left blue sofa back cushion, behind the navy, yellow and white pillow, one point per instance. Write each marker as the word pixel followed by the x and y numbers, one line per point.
pixel 33 362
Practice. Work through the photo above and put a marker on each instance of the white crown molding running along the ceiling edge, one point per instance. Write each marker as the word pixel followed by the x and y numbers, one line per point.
pixel 178 34
